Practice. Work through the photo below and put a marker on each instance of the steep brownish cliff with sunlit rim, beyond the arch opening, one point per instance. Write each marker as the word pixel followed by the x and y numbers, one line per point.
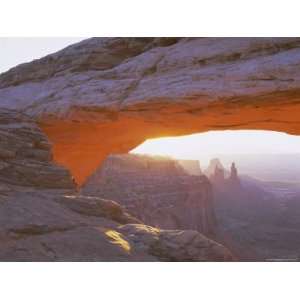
pixel 157 190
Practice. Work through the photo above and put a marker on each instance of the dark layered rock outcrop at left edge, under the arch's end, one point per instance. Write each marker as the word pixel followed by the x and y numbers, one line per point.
pixel 25 155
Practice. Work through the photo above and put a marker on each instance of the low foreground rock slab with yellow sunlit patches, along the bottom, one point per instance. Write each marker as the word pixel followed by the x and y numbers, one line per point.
pixel 40 226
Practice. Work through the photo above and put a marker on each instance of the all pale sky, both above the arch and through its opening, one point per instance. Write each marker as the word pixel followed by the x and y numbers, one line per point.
pixel 19 50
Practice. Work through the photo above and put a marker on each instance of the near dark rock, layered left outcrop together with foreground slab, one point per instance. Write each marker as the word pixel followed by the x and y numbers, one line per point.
pixel 43 218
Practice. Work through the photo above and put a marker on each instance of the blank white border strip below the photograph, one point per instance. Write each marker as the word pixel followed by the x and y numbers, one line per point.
pixel 149 281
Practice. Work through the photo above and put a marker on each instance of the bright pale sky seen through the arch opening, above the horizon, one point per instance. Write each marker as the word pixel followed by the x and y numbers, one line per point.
pixel 222 142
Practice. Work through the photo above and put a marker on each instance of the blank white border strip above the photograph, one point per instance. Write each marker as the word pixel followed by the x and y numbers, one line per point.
pixel 149 18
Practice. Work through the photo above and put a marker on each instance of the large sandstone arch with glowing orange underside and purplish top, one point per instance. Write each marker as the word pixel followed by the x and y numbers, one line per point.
pixel 107 95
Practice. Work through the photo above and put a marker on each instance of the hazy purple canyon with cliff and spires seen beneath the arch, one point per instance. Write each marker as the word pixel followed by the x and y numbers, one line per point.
pixel 256 219
